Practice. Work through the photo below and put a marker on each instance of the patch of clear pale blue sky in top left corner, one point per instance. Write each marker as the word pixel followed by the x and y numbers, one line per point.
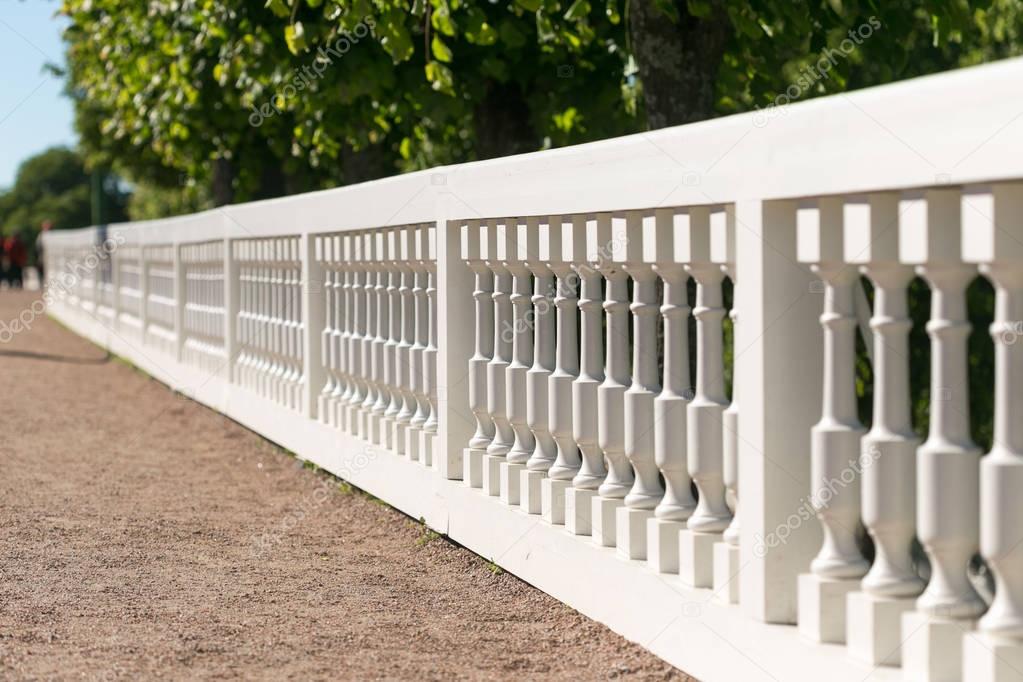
pixel 34 114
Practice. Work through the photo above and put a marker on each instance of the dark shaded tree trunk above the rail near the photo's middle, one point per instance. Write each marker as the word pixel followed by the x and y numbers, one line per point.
pixel 503 123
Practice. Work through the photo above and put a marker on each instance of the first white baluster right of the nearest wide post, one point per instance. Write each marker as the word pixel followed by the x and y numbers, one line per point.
pixel 836 438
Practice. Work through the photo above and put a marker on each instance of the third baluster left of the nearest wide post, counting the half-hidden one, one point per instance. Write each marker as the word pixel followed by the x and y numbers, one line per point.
pixel 671 406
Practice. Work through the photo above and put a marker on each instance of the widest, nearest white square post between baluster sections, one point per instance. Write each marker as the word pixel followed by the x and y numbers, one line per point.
pixel 779 356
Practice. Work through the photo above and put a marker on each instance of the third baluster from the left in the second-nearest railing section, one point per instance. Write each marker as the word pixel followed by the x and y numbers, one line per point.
pixel 521 331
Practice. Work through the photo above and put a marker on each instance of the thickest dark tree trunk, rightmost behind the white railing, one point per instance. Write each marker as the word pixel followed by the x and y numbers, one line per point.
pixel 679 61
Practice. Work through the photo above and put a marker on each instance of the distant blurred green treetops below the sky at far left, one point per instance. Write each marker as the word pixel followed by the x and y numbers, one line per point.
pixel 55 187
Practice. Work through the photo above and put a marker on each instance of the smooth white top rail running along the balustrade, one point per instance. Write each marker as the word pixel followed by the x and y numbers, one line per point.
pixel 946 129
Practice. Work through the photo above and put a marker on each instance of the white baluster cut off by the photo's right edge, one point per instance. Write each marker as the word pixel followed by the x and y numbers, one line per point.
pixel 994 217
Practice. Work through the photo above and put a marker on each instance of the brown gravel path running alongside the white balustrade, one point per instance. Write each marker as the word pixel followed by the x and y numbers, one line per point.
pixel 145 536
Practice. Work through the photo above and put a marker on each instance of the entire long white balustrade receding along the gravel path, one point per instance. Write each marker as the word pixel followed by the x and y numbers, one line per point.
pixel 504 349
